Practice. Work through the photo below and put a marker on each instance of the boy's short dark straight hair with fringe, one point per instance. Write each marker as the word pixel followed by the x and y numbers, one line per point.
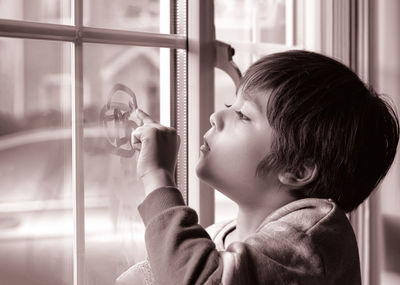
pixel 322 114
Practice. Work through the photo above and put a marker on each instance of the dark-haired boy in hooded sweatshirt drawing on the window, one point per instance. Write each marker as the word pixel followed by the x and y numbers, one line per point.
pixel 304 142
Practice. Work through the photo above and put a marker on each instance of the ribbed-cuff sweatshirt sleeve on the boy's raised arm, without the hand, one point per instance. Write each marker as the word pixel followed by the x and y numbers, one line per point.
pixel 179 249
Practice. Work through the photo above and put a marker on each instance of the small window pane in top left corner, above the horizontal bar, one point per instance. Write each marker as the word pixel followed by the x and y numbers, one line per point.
pixel 48 11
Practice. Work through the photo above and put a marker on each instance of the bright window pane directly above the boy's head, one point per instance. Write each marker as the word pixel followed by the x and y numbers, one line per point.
pixel 250 21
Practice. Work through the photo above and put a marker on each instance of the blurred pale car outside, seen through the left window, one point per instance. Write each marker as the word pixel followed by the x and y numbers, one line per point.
pixel 36 216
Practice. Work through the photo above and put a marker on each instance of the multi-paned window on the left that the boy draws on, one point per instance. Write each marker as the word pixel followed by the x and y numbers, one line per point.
pixel 67 205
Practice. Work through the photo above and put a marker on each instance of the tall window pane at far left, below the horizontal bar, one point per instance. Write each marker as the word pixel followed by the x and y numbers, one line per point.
pixel 36 222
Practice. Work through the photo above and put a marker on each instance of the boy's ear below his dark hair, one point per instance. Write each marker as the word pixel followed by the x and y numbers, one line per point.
pixel 300 178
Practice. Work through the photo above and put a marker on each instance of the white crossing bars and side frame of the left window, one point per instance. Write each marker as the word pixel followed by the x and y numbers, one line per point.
pixel 77 34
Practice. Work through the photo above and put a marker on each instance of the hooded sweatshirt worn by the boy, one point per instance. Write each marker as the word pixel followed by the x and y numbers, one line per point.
pixel 308 241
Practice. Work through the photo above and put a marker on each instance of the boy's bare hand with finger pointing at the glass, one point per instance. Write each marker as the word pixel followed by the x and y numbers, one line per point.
pixel 158 148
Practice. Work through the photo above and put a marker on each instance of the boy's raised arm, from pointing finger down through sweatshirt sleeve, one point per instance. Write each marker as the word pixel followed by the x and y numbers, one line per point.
pixel 179 249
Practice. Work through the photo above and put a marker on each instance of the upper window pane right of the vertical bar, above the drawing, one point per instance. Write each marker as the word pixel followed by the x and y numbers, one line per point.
pixel 134 15
